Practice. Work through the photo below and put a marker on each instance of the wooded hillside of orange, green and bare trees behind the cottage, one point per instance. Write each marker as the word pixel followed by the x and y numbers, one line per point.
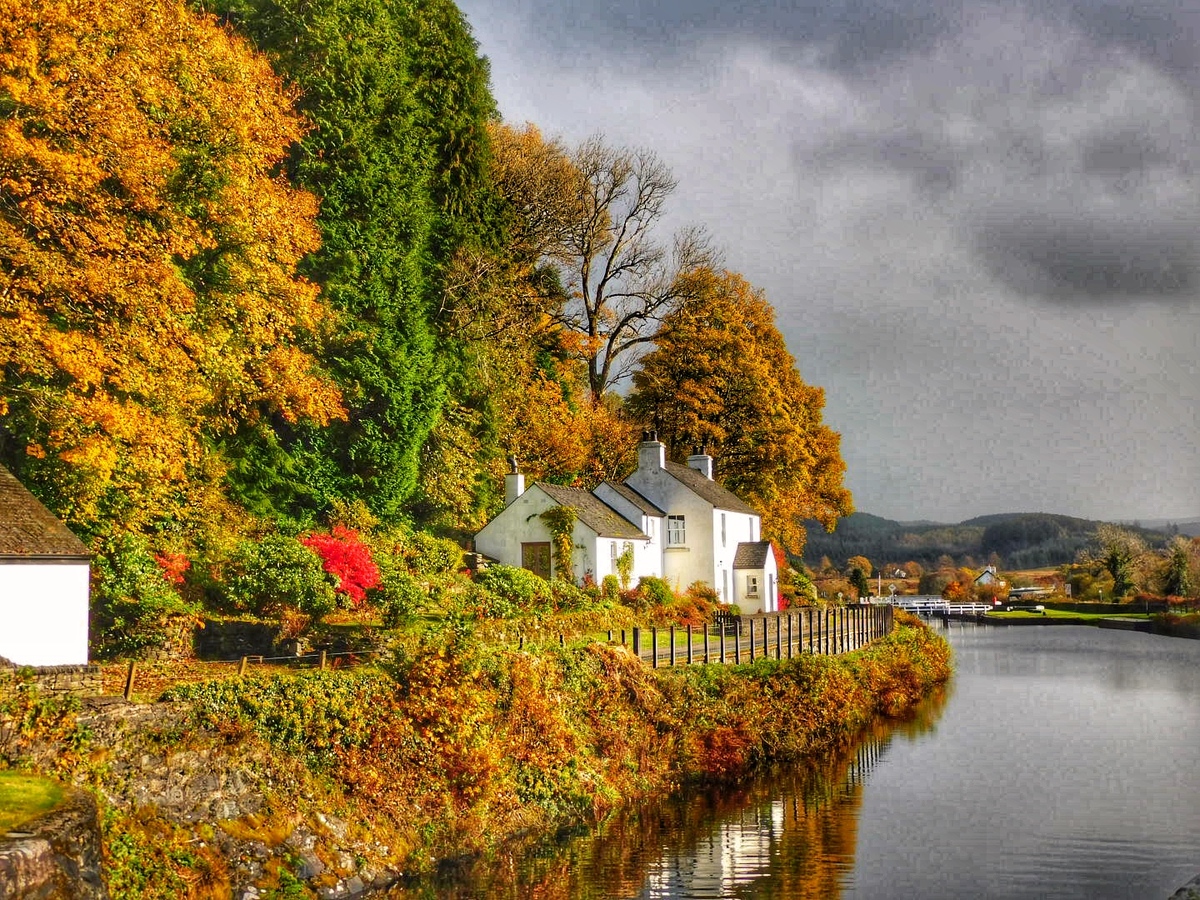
pixel 269 271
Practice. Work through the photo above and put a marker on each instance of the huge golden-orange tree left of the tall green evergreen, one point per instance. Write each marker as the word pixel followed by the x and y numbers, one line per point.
pixel 149 299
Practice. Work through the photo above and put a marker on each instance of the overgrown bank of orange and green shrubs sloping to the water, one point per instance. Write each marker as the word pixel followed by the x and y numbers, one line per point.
pixel 327 784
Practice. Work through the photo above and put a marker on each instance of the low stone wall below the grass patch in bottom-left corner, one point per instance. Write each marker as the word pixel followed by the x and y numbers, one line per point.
pixel 58 857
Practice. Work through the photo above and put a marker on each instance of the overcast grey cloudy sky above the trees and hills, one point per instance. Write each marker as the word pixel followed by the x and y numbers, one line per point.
pixel 980 224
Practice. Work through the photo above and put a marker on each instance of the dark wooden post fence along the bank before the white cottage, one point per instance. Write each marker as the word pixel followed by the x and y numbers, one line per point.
pixel 782 635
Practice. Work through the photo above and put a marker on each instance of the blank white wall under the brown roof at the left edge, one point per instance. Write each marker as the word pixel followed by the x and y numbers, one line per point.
pixel 44 613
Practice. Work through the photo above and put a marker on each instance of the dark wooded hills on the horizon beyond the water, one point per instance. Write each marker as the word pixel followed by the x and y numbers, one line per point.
pixel 1022 541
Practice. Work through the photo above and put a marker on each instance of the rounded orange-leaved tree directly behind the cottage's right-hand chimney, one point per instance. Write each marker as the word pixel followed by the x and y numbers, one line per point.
pixel 722 379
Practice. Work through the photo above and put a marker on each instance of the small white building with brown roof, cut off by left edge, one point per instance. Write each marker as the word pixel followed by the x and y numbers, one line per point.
pixel 44 583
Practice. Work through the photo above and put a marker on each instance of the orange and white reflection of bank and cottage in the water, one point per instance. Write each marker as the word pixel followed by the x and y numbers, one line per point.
pixel 790 833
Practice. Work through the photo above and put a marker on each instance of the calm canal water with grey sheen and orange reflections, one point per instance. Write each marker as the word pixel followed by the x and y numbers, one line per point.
pixel 1061 763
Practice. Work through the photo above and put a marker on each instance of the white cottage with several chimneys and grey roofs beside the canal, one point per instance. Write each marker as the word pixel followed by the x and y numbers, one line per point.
pixel 681 525
